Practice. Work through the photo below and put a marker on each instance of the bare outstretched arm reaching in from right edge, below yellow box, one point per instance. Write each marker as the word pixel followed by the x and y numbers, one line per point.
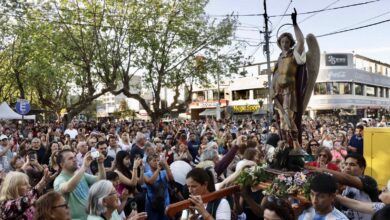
pixel 367 207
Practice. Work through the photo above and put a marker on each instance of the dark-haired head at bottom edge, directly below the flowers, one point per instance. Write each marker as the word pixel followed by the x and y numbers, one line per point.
pixel 277 208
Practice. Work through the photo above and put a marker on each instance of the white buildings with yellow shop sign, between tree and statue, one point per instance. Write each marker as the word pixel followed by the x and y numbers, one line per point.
pixel 239 98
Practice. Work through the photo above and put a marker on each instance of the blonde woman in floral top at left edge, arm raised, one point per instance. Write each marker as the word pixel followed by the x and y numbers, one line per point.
pixel 17 197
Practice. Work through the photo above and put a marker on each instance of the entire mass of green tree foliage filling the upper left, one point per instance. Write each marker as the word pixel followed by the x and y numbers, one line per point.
pixel 54 50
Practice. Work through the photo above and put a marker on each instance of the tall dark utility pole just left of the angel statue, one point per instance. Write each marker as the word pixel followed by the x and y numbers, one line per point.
pixel 266 49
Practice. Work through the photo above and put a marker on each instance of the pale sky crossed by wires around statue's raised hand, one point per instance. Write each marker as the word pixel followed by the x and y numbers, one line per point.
pixel 372 42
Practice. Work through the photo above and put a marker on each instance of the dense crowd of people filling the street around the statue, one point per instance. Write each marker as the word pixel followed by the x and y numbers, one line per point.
pixel 134 169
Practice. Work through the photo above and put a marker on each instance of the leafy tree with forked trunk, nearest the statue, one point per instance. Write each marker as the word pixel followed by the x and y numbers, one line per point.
pixel 180 46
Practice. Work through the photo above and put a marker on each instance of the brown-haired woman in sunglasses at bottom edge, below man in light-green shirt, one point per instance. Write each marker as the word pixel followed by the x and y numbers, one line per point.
pixel 51 206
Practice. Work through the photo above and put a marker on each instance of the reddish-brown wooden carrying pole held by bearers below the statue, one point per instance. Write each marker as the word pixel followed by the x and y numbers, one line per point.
pixel 172 209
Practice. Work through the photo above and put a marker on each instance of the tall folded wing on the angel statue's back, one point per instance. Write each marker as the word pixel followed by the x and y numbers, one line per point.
pixel 312 66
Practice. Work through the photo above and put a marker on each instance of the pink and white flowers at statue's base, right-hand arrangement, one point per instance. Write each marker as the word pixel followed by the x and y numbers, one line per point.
pixel 286 185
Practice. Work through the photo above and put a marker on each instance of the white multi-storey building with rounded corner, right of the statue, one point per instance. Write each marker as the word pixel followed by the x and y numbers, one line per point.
pixel 351 84
